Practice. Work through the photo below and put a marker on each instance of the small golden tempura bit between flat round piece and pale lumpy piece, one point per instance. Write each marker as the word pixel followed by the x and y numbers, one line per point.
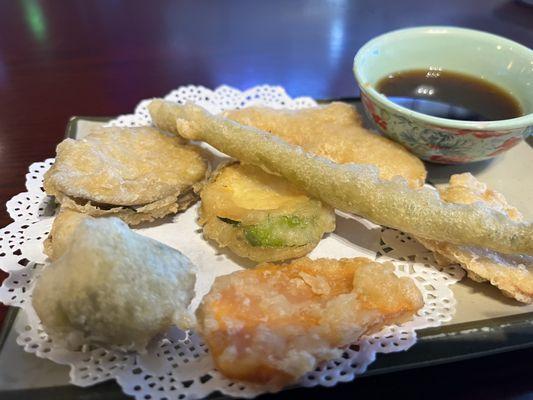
pixel 65 223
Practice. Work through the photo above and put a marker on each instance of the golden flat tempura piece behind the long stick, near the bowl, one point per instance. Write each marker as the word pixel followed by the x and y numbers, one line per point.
pixel 335 131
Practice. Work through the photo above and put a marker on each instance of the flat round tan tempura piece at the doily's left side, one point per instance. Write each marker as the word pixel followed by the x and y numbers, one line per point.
pixel 136 174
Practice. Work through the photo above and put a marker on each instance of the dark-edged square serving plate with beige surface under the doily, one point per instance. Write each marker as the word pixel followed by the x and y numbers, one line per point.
pixel 486 322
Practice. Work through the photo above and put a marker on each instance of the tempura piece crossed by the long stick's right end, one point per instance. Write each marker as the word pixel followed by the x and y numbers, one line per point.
pixel 512 274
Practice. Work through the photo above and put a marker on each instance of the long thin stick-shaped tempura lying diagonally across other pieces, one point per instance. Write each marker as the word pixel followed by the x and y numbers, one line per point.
pixel 352 188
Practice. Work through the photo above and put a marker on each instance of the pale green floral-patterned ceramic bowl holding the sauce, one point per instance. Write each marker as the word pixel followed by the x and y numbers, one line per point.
pixel 440 140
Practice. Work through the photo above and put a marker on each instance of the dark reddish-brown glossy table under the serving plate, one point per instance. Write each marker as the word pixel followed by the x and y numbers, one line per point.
pixel 64 58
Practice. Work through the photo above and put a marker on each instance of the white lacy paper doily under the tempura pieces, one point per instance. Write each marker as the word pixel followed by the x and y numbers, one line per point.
pixel 178 366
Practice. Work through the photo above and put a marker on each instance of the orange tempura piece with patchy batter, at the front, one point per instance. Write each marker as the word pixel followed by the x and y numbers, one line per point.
pixel 272 324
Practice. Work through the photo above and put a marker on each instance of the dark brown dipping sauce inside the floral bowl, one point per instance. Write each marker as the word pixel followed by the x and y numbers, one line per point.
pixel 448 94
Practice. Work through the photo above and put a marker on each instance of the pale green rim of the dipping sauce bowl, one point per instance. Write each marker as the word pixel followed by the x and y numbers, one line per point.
pixel 523 121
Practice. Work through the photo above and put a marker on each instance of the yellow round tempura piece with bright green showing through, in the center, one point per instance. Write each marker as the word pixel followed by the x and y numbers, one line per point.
pixel 261 216
